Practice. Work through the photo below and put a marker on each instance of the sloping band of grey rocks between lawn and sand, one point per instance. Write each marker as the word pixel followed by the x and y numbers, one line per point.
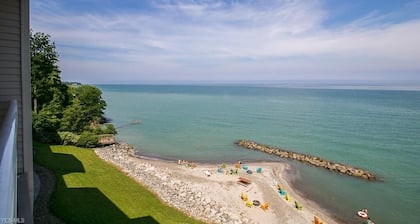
pixel 181 194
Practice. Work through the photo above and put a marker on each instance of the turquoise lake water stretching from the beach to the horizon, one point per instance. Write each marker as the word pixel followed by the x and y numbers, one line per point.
pixel 374 129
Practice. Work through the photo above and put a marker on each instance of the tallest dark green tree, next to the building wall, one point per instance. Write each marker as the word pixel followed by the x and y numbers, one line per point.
pixel 49 94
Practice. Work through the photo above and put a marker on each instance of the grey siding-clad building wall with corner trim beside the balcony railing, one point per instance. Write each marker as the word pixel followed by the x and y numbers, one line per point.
pixel 15 77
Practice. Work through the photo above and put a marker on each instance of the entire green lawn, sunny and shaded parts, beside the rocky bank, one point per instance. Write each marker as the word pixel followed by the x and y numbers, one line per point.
pixel 88 190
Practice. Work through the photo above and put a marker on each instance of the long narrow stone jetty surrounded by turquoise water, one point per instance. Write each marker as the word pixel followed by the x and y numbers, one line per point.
pixel 310 160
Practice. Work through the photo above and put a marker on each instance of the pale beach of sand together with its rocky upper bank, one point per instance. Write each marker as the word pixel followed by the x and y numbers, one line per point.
pixel 210 193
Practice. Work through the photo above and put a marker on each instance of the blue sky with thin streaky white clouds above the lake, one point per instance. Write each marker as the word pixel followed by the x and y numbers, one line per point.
pixel 129 41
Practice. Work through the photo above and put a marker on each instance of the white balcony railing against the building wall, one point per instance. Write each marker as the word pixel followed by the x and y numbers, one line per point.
pixel 8 163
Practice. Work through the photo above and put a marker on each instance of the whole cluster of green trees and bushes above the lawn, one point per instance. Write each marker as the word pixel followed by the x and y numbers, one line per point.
pixel 63 113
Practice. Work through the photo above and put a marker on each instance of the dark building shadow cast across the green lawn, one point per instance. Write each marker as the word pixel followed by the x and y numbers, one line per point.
pixel 80 205
